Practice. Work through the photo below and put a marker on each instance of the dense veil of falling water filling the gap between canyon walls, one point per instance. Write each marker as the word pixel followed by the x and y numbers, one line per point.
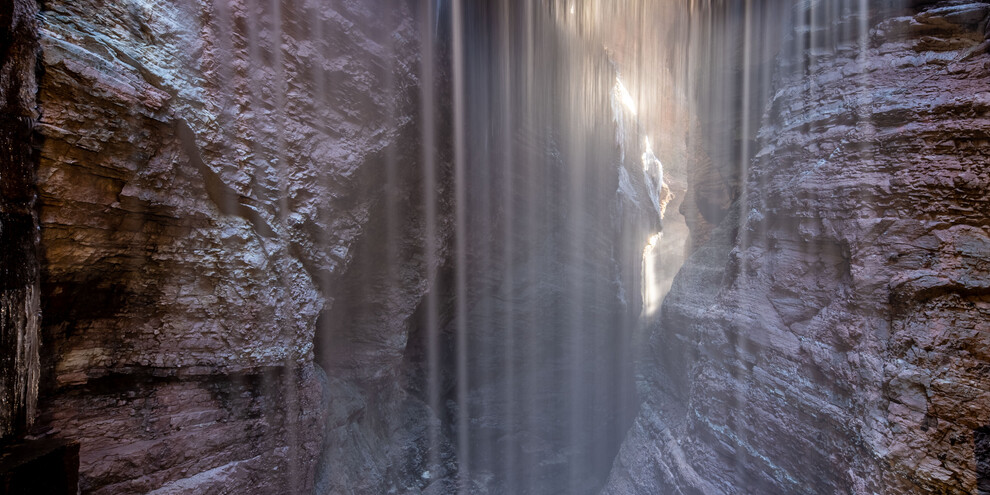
pixel 560 152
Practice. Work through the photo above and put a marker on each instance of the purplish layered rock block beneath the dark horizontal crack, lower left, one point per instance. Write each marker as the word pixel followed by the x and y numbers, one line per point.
pixel 194 434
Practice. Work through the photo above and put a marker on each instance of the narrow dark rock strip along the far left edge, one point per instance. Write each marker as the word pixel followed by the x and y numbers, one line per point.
pixel 19 268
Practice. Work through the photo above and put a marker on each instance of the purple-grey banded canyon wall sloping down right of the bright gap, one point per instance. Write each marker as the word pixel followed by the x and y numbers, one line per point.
pixel 831 336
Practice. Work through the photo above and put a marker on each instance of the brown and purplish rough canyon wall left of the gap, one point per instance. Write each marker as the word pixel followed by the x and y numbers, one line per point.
pixel 206 171
